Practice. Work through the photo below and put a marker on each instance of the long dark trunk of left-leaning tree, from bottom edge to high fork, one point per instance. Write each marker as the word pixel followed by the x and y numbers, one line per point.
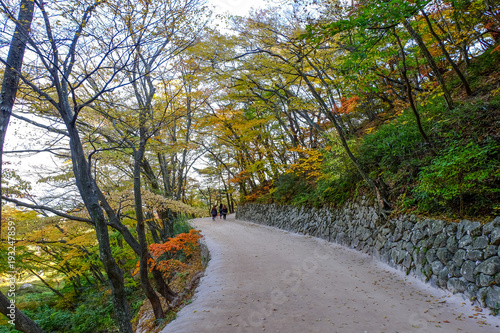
pixel 87 187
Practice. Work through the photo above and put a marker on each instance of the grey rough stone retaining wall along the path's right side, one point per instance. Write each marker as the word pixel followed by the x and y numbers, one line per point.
pixel 462 257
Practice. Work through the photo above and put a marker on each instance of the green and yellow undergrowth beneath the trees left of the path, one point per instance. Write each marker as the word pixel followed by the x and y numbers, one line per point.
pixel 91 310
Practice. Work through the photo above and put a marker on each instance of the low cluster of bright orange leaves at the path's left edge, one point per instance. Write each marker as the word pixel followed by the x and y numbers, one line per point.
pixel 169 256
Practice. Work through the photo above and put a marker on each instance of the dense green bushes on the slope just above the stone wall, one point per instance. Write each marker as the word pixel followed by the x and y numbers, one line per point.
pixel 456 176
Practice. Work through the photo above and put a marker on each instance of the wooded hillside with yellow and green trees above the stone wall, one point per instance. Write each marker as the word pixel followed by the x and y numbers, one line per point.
pixel 397 100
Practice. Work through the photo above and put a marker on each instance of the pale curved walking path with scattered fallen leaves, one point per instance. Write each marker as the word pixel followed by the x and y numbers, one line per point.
pixel 262 279
